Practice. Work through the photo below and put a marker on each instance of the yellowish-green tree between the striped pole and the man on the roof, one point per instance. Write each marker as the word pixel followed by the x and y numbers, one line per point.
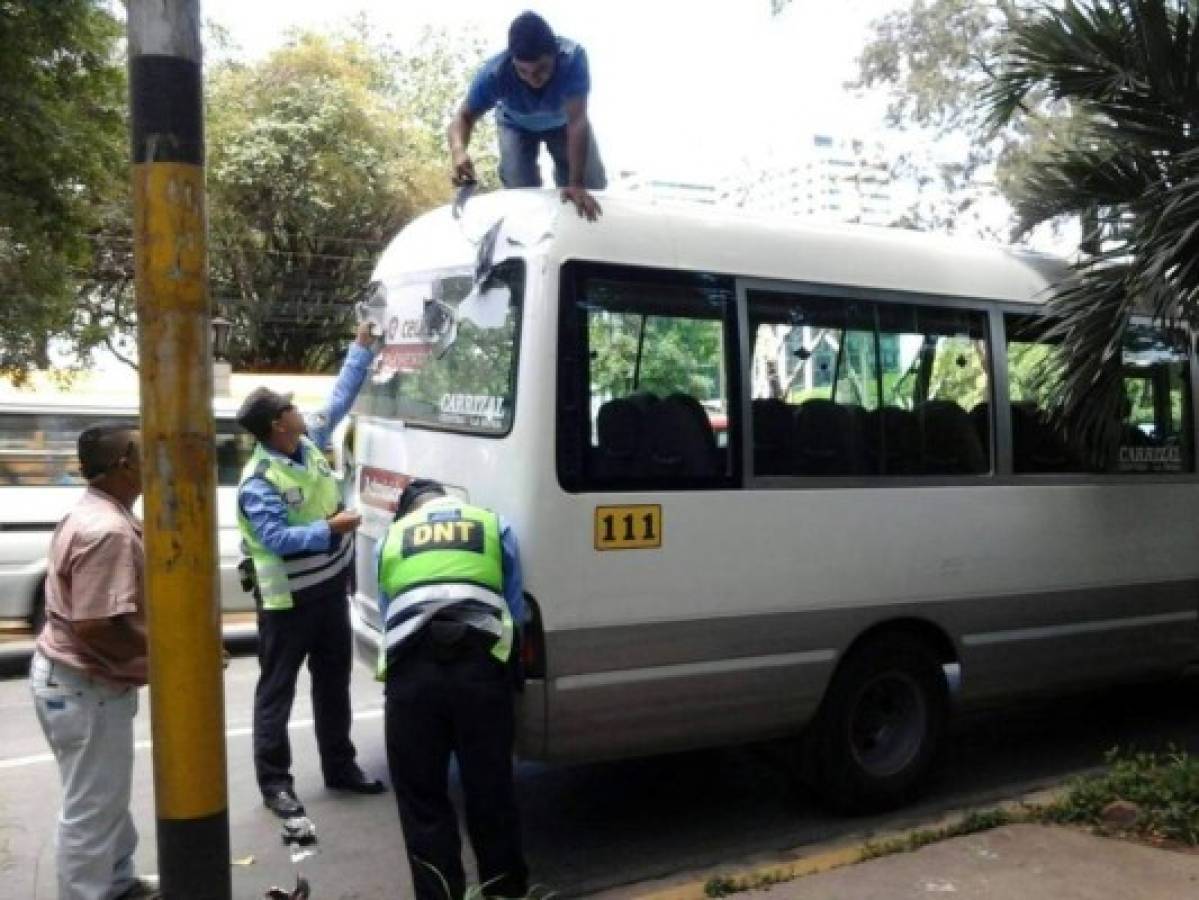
pixel 317 158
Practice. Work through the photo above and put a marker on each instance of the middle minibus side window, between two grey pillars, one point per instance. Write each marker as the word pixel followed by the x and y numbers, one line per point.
pixel 908 394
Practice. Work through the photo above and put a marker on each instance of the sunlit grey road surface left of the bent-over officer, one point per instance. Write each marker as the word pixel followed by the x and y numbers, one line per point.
pixel 361 845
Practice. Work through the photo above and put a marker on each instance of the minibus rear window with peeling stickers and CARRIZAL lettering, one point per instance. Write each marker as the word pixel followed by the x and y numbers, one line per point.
pixel 450 351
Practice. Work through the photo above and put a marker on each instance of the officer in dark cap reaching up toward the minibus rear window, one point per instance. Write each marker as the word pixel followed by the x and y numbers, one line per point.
pixel 300 541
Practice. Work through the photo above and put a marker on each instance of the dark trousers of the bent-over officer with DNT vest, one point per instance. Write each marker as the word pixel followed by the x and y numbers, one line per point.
pixel 442 703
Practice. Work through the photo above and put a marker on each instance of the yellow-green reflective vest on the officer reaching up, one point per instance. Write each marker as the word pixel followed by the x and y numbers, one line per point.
pixel 311 494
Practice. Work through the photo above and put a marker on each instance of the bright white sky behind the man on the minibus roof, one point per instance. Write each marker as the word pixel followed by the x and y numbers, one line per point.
pixel 690 90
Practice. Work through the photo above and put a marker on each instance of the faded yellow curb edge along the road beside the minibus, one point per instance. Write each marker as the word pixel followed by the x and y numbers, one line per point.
pixel 764 875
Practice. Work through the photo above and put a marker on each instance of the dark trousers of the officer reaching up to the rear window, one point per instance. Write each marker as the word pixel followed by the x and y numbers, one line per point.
pixel 318 629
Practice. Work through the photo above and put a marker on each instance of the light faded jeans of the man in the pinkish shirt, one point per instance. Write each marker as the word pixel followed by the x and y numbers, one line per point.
pixel 89 726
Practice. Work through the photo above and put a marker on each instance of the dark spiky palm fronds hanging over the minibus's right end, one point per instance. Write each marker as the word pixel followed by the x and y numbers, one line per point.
pixel 1131 71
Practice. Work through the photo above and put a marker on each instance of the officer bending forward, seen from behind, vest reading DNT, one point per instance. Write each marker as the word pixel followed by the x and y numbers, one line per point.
pixel 453 601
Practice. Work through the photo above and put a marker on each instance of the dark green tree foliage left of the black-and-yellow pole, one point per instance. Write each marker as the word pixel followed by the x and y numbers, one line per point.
pixel 63 152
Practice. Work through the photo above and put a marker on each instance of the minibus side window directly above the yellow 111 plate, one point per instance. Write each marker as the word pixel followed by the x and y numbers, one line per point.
pixel 654 380
